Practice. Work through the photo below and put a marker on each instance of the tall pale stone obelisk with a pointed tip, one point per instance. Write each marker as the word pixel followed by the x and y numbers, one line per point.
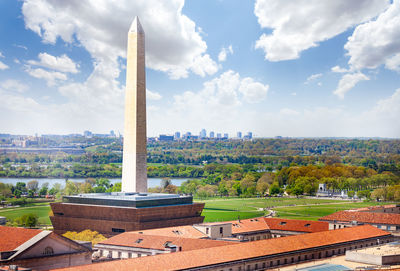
pixel 134 168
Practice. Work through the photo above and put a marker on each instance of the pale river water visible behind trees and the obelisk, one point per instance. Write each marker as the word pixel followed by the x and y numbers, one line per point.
pixel 151 182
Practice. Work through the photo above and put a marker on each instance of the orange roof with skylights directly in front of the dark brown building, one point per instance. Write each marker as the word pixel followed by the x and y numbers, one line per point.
pixel 132 239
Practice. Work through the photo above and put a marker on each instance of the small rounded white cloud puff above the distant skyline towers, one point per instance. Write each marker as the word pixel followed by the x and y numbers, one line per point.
pixel 253 92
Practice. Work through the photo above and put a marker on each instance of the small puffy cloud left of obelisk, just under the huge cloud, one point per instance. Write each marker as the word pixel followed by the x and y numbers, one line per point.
pixel 62 63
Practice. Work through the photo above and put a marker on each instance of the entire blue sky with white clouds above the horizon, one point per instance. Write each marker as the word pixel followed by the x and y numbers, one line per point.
pixel 304 68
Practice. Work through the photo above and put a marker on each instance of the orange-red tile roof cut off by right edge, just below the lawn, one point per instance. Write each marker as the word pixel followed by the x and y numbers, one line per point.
pixel 365 217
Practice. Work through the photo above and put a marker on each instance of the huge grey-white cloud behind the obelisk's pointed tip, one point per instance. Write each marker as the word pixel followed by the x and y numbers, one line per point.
pixel 173 44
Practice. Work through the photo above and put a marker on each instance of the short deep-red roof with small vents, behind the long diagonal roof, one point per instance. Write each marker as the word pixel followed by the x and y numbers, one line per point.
pixel 296 225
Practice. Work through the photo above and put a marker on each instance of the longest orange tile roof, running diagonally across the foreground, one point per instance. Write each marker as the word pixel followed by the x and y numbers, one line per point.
pixel 235 252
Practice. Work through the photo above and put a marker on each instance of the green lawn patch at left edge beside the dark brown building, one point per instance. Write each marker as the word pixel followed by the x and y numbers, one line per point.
pixel 40 209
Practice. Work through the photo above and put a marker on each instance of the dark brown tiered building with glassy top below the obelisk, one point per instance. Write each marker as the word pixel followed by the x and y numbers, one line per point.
pixel 114 213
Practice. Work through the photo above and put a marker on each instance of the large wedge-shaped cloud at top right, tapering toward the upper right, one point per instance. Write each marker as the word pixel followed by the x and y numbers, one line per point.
pixel 302 24
